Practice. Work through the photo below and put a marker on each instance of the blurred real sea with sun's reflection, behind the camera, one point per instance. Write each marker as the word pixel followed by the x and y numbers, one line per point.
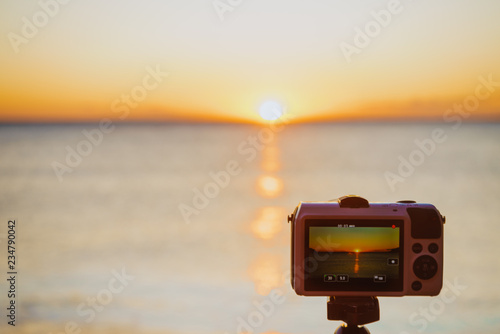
pixel 182 228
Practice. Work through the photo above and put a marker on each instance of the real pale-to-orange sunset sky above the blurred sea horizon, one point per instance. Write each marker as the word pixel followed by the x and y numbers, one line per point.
pixel 90 53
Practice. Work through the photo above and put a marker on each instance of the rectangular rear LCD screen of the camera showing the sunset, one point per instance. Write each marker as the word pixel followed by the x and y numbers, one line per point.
pixel 353 255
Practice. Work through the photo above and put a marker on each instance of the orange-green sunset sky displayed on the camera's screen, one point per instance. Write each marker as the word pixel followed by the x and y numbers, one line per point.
pixel 362 239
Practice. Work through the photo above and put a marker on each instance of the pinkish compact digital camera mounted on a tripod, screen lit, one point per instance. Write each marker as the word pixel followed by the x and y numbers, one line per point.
pixel 350 247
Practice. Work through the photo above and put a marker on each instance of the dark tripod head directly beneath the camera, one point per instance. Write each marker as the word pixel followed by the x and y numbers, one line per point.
pixel 354 311
